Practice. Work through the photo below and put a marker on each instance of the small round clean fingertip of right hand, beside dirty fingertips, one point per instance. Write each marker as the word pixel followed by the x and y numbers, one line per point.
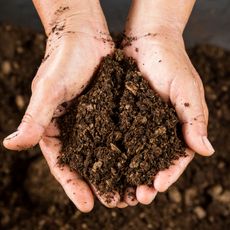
pixel 145 194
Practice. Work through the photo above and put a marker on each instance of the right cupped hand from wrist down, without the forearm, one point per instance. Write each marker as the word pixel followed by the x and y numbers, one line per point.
pixel 162 59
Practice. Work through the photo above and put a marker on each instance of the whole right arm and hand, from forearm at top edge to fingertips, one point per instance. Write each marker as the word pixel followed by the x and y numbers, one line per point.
pixel 160 53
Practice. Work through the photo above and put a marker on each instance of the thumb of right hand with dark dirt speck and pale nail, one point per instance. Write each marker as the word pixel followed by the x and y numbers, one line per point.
pixel 188 104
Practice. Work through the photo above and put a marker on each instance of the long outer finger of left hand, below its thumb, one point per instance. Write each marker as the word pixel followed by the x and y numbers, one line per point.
pixel 76 189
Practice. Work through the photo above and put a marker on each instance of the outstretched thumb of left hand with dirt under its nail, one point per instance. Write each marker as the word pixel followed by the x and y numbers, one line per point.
pixel 37 117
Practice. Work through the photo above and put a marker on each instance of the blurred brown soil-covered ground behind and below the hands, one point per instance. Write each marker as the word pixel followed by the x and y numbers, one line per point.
pixel 31 199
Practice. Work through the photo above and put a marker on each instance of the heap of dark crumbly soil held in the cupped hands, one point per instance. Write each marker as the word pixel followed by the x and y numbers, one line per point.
pixel 119 132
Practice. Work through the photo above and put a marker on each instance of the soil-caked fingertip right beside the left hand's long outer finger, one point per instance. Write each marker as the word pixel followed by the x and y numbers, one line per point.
pixel 109 200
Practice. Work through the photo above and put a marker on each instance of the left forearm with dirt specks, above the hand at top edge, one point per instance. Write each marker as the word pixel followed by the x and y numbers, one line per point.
pixel 77 14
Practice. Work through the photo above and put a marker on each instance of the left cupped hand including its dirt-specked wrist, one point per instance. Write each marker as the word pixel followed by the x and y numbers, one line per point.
pixel 77 41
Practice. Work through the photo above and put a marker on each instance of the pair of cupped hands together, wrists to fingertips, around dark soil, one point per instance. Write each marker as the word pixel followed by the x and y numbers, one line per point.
pixel 76 44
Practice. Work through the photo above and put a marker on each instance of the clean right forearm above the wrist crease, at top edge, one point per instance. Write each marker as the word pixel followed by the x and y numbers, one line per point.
pixel 159 16
